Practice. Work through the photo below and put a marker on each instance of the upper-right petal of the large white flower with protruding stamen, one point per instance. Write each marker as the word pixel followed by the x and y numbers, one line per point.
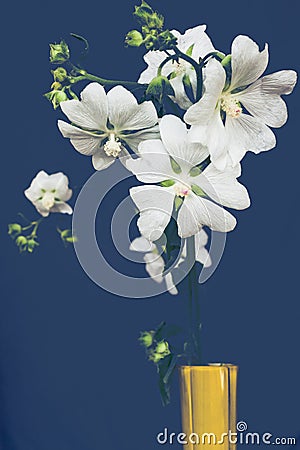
pixel 125 113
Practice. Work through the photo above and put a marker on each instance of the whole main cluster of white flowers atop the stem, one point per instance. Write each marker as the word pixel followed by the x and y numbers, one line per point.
pixel 188 163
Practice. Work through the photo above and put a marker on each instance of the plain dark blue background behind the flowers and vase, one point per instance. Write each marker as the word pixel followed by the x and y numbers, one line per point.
pixel 72 374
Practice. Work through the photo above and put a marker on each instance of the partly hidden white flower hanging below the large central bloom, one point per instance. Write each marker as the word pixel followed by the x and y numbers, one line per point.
pixel 155 264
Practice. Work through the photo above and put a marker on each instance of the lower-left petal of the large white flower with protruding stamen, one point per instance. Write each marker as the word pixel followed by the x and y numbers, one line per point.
pixel 83 141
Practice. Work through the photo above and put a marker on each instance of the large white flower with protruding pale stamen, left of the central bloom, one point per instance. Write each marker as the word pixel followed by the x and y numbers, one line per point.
pixel 102 123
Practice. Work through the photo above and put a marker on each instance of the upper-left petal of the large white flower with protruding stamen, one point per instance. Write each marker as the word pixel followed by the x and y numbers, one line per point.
pixel 91 111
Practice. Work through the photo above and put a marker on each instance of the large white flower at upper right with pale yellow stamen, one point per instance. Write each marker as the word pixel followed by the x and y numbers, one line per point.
pixel 234 119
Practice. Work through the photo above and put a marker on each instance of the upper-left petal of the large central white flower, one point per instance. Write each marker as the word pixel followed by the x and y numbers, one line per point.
pixel 154 164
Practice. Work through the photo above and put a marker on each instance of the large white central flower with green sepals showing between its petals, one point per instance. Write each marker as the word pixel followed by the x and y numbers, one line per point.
pixel 172 159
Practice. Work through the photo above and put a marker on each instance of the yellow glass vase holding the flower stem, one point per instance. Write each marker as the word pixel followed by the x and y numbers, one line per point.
pixel 208 406
